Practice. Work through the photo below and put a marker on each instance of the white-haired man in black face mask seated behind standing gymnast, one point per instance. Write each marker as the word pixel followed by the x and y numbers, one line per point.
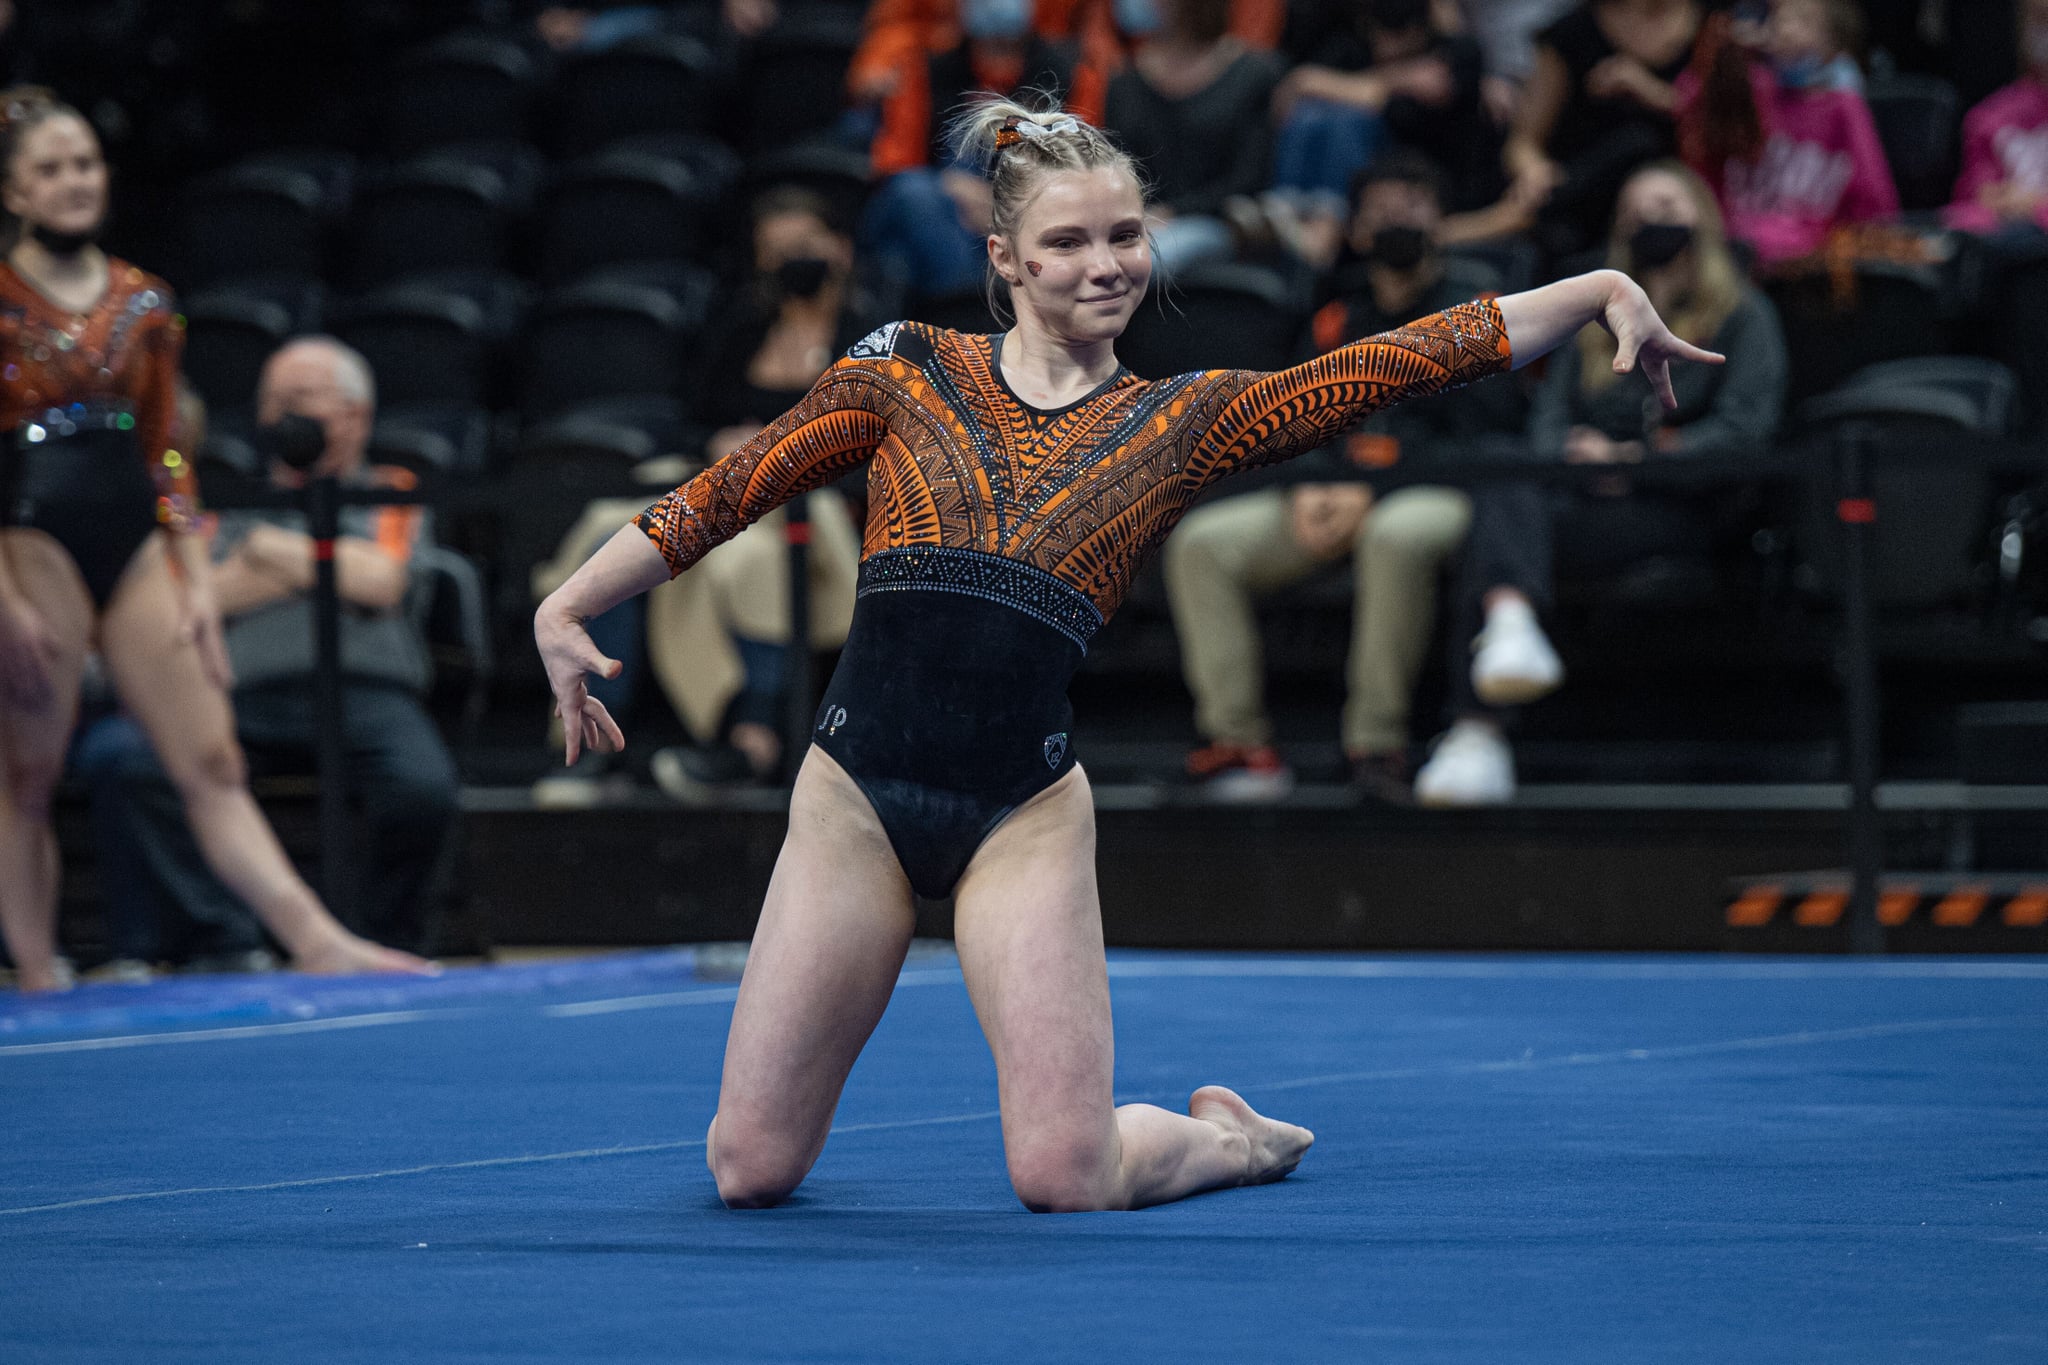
pixel 400 770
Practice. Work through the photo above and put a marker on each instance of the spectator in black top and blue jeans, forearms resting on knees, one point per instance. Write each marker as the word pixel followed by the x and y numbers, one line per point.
pixel 1377 75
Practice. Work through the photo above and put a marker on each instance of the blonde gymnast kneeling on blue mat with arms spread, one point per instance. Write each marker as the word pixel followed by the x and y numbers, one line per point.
pixel 1015 486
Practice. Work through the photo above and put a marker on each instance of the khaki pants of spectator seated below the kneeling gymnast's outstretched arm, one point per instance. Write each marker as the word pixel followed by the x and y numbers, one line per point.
pixel 1230 554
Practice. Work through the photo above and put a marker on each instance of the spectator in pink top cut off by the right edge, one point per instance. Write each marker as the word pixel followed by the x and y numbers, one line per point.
pixel 2004 183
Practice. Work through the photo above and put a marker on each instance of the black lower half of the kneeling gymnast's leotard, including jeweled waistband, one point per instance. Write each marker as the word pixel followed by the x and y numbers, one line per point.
pixel 949 705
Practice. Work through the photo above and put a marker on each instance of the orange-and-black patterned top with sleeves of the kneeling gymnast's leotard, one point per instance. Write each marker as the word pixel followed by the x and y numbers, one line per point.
pixel 1084 492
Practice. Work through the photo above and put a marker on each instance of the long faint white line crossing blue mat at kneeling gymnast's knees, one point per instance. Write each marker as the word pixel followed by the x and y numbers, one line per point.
pixel 1355 1077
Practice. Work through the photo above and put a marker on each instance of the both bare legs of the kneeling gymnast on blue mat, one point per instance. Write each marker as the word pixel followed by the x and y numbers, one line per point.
pixel 824 963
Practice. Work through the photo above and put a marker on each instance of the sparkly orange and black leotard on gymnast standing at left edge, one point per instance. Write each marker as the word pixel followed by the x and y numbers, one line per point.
pixel 87 408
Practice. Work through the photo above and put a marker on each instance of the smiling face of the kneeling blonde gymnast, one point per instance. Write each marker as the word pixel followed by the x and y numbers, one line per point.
pixel 1080 261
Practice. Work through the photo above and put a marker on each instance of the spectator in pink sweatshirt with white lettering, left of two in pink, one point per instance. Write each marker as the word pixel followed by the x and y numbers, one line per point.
pixel 1793 150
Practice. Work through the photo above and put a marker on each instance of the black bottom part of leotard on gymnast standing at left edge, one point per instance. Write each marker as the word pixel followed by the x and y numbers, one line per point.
pixel 79 476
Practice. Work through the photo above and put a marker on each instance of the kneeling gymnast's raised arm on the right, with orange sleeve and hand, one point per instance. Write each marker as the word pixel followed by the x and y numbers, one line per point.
pixel 1277 416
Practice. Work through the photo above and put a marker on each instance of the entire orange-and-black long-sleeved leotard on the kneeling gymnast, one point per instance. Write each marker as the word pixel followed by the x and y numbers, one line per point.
pixel 1000 537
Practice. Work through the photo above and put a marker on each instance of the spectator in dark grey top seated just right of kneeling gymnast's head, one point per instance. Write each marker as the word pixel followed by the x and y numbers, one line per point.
pixel 1191 107
